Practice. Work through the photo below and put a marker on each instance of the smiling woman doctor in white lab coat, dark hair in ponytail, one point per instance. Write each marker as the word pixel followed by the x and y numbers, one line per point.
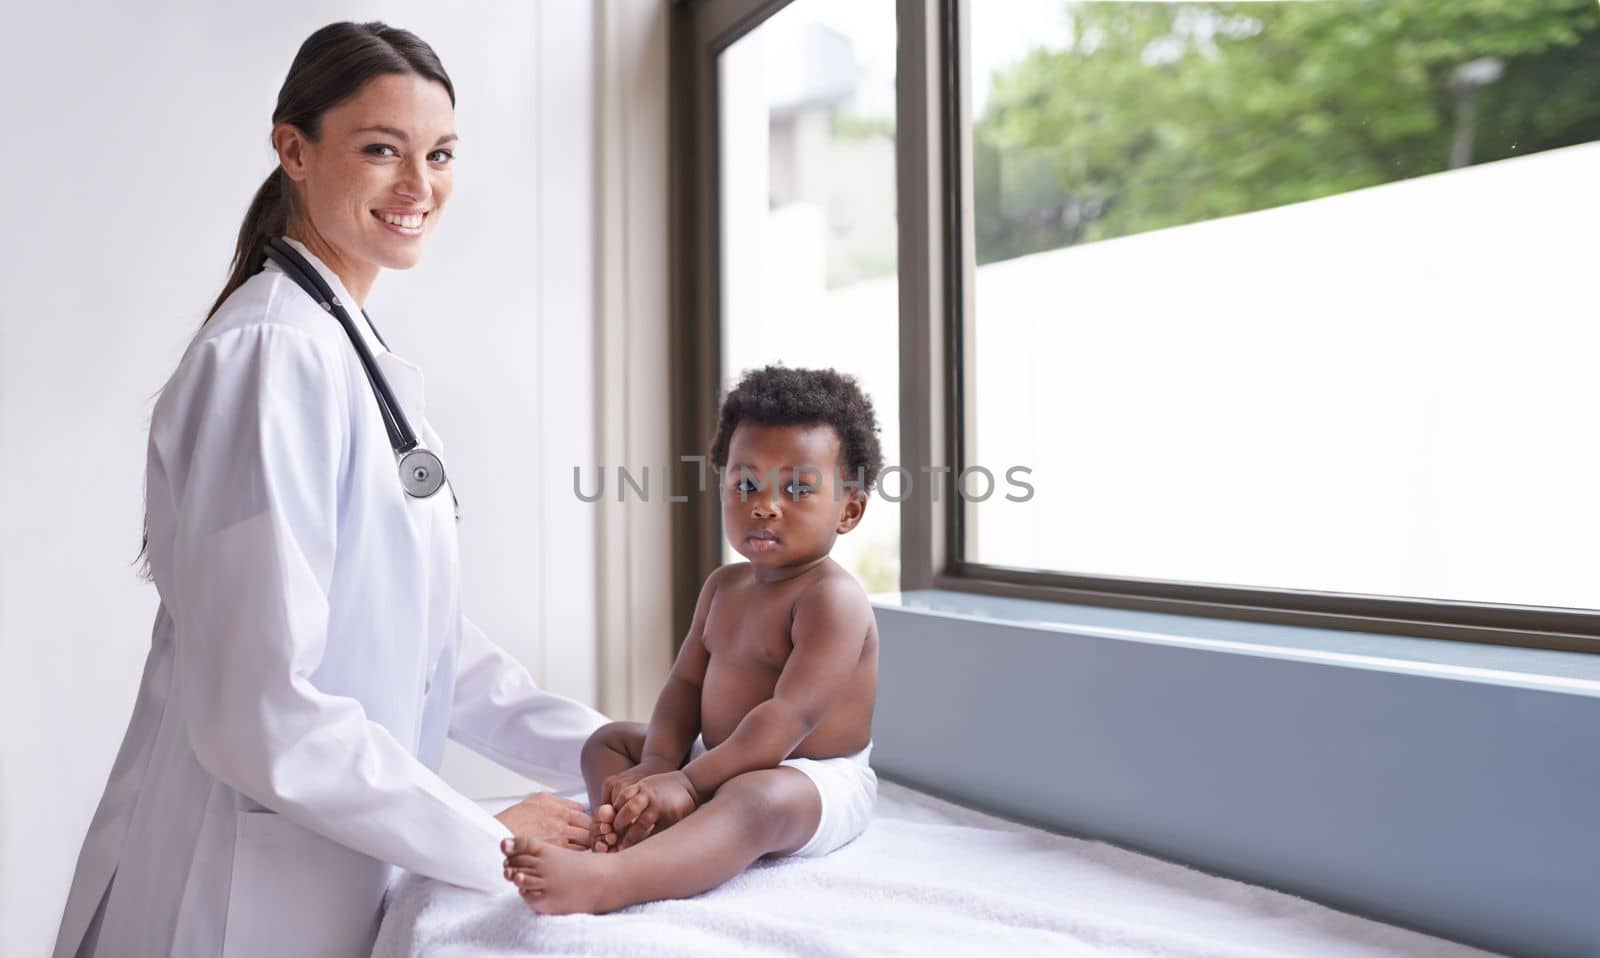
pixel 310 655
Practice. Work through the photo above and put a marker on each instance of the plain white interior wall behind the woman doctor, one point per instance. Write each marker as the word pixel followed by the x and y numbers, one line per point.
pixel 135 138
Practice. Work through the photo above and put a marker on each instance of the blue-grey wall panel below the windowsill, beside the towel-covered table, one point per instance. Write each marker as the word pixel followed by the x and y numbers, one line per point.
pixel 1462 808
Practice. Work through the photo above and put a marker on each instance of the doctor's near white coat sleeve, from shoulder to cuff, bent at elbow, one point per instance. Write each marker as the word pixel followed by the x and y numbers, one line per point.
pixel 255 439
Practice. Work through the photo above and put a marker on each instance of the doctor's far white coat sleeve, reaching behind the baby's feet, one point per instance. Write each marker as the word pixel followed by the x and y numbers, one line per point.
pixel 502 714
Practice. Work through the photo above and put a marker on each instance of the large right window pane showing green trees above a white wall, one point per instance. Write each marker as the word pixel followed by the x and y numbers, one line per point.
pixel 1287 295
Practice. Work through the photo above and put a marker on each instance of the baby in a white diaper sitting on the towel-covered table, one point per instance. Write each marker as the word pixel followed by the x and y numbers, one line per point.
pixel 761 738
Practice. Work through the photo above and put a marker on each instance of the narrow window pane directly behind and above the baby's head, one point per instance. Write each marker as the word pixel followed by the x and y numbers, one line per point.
pixel 807 222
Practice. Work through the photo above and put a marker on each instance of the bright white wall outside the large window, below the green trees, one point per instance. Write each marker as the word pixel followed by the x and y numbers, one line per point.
pixel 1382 393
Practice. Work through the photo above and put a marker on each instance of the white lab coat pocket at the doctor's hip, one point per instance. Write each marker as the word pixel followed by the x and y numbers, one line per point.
pixel 297 893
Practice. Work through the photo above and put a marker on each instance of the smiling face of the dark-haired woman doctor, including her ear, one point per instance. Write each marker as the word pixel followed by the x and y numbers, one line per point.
pixel 377 180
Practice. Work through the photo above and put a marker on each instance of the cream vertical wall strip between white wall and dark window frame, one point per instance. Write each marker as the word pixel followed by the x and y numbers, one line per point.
pixel 633 357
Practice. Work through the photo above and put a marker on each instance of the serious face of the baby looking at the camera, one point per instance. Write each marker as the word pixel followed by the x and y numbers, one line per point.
pixel 783 501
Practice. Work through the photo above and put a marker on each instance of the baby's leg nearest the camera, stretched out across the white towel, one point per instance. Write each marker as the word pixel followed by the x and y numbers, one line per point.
pixel 753 815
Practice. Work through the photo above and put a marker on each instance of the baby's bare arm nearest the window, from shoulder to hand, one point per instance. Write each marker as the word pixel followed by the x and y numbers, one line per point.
pixel 831 628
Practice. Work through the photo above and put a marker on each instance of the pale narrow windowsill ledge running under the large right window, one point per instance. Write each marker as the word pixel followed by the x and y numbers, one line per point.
pixel 1511 666
